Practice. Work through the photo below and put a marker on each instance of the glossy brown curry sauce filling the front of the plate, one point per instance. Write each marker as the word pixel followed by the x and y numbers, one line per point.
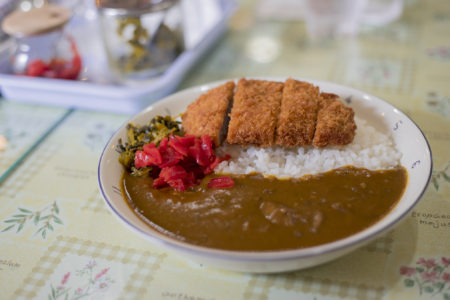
pixel 260 213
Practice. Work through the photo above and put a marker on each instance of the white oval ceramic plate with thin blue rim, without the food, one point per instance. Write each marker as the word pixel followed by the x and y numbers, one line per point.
pixel 380 114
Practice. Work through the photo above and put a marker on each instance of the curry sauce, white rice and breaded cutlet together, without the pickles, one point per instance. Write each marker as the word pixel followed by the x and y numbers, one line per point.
pixel 329 177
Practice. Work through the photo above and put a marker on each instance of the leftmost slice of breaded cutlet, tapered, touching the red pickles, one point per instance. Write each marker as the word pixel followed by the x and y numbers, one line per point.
pixel 207 115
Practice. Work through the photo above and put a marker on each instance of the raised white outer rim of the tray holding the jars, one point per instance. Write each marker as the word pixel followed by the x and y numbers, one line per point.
pixel 122 99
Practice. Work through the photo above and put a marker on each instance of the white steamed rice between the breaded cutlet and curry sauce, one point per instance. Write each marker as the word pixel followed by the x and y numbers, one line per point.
pixel 370 149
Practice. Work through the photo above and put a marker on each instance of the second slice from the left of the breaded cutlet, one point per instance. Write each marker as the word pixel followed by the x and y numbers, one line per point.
pixel 254 114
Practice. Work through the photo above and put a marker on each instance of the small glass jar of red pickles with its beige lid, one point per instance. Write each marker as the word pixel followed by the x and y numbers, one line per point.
pixel 42 48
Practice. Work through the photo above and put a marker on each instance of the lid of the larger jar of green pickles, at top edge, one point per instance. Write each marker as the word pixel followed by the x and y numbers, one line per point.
pixel 132 7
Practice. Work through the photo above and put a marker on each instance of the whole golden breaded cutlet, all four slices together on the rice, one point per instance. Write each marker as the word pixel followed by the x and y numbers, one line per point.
pixel 267 113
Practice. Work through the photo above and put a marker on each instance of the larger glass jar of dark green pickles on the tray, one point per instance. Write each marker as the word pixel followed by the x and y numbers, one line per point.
pixel 141 38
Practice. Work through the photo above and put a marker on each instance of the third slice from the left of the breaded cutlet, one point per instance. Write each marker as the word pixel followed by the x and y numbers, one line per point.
pixel 298 114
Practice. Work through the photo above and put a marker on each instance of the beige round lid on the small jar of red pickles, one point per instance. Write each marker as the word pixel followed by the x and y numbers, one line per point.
pixel 36 21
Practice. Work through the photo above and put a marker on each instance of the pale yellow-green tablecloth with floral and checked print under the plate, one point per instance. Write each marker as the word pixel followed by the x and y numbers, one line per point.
pixel 59 241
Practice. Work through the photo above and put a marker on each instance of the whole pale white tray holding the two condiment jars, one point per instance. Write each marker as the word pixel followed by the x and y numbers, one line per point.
pixel 108 96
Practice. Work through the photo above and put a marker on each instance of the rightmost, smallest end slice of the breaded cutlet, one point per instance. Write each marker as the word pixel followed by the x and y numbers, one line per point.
pixel 335 122
